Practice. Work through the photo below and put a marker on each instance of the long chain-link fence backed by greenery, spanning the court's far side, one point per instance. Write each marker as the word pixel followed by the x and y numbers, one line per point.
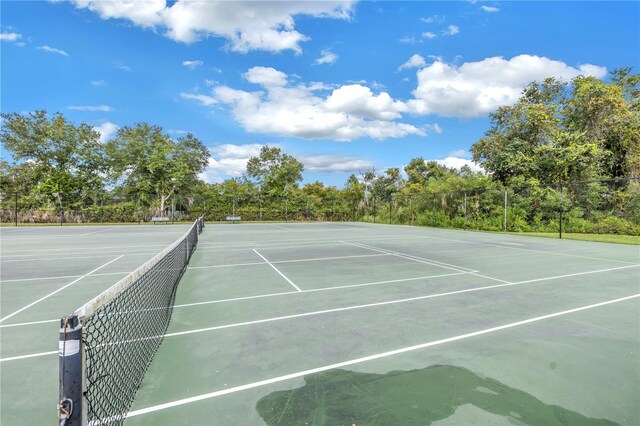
pixel 592 207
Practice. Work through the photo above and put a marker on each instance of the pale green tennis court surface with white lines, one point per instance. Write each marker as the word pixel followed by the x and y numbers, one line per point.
pixel 343 323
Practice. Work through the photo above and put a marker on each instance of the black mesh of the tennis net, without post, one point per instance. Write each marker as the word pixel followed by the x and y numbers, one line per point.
pixel 123 335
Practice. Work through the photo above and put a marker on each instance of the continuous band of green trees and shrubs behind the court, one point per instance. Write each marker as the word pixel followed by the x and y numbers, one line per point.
pixel 533 155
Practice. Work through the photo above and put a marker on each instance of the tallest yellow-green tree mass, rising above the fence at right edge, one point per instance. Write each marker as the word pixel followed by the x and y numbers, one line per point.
pixel 558 132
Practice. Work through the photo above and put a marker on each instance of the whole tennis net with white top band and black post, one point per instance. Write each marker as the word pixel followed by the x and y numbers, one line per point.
pixel 107 345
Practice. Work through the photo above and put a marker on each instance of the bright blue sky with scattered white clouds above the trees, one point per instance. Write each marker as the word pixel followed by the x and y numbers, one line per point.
pixel 343 86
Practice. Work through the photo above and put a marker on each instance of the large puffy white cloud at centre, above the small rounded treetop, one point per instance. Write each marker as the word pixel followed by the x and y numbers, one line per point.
pixel 349 112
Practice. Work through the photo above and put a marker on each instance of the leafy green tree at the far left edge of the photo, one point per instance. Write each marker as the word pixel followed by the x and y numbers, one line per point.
pixel 52 155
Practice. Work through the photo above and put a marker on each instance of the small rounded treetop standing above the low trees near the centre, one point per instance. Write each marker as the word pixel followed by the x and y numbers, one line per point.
pixel 274 171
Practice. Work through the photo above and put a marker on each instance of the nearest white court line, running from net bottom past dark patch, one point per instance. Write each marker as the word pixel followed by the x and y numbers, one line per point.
pixel 368 358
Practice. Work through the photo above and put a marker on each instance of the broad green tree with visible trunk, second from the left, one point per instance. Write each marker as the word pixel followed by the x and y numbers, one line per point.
pixel 144 160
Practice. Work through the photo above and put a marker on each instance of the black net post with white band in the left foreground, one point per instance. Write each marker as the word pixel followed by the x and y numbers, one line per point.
pixel 70 371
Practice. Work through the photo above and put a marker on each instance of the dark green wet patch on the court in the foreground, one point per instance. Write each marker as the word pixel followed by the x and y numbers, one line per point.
pixel 342 397
